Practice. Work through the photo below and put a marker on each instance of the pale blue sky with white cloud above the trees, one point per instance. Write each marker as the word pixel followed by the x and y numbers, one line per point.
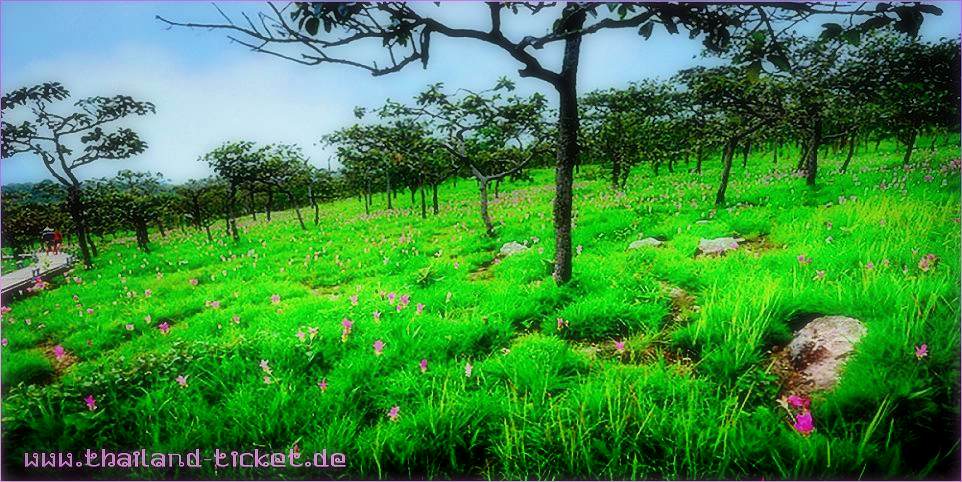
pixel 208 90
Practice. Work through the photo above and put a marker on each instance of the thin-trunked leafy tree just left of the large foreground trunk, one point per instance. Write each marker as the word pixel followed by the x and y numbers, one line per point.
pixel 488 135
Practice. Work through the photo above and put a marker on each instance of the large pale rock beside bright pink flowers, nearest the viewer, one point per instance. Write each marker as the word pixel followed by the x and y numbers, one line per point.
pixel 819 349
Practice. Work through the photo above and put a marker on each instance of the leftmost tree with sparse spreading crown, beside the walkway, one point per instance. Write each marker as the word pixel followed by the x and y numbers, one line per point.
pixel 54 138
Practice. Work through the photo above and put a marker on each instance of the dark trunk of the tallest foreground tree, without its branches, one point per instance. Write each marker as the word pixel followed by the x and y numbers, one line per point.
pixel 568 125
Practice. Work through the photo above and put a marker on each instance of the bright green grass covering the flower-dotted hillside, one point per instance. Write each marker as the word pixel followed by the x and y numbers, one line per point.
pixel 692 395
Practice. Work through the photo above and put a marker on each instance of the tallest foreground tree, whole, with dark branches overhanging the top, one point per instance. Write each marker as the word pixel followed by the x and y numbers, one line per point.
pixel 324 31
